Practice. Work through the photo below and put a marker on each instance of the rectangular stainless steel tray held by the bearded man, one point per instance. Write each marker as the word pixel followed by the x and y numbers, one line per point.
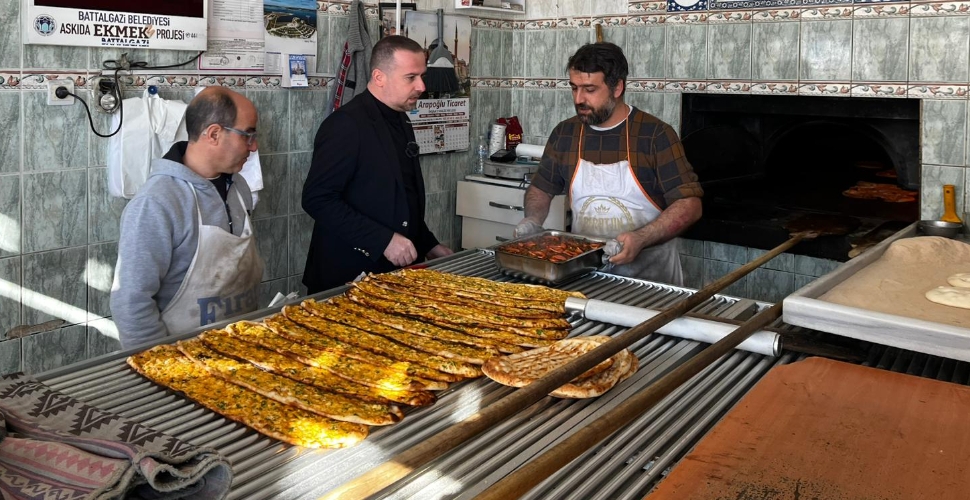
pixel 544 271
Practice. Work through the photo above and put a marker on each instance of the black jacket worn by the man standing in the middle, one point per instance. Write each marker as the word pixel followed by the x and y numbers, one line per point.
pixel 356 196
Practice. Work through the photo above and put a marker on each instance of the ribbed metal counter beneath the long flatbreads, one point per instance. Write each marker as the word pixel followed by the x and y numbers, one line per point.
pixel 627 465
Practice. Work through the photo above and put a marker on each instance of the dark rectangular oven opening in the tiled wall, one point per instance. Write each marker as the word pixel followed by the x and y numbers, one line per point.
pixel 765 160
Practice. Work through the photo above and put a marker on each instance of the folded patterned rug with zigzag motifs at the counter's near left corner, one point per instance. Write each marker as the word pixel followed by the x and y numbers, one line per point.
pixel 54 446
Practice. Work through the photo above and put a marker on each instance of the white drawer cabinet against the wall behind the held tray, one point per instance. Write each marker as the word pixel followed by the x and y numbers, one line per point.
pixel 490 212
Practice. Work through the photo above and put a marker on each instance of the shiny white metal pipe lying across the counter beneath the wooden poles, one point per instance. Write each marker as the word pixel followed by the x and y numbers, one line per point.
pixel 702 330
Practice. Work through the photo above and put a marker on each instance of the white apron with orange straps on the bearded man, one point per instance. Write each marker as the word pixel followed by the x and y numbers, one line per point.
pixel 607 200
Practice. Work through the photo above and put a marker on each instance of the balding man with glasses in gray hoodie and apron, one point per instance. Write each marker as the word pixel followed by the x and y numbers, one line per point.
pixel 187 255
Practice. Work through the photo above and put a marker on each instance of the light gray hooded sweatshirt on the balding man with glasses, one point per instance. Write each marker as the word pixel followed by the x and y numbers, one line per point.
pixel 159 236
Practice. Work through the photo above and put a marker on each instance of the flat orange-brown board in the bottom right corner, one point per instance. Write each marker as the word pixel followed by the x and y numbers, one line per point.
pixel 831 430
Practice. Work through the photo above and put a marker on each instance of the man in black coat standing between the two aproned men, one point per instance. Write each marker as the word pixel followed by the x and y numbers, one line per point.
pixel 365 191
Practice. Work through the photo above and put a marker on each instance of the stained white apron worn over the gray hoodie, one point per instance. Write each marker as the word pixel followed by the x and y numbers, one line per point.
pixel 221 281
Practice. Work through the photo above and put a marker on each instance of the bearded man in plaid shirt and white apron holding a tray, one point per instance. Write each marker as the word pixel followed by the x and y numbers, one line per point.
pixel 624 170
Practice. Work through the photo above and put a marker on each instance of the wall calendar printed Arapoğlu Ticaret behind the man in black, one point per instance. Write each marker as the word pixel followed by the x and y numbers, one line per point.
pixel 441 125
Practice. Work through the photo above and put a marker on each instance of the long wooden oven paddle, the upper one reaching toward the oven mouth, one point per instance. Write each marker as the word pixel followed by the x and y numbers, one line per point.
pixel 386 474
